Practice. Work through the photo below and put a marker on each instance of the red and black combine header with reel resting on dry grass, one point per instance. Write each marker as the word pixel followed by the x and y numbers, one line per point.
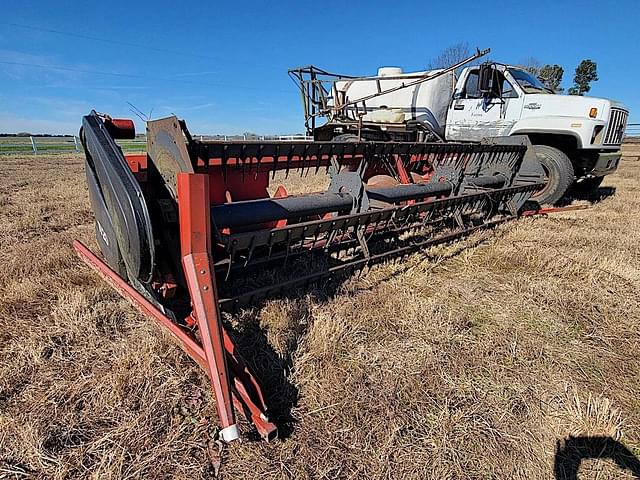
pixel 183 227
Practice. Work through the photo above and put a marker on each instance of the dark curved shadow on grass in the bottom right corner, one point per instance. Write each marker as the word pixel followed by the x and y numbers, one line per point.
pixel 571 452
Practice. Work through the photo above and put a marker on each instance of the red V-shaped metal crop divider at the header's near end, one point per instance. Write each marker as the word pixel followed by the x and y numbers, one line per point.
pixel 232 381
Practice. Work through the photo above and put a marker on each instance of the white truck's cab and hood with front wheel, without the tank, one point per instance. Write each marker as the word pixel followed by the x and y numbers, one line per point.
pixel 576 138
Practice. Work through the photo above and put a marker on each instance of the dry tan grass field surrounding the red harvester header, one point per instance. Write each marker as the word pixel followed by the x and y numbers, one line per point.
pixel 513 354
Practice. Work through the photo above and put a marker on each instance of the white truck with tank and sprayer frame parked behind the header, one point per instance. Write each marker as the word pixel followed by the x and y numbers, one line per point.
pixel 577 139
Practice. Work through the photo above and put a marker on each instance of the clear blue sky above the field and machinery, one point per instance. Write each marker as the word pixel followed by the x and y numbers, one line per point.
pixel 223 65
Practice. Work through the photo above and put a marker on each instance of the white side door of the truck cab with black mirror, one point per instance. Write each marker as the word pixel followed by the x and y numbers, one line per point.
pixel 473 116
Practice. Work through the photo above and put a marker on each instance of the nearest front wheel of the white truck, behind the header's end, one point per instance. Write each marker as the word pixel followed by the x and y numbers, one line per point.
pixel 558 173
